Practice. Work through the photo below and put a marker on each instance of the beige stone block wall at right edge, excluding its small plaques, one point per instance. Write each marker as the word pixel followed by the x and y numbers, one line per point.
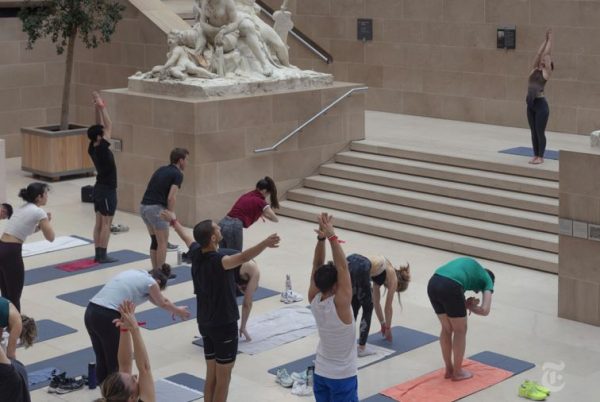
pixel 579 258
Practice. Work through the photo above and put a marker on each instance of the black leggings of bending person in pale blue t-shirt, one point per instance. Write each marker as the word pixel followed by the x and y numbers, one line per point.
pixel 105 338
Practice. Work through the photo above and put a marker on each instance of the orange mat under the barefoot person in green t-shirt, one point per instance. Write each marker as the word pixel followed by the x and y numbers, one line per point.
pixel 433 387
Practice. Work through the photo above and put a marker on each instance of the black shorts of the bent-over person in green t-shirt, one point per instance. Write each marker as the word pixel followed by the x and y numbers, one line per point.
pixel 446 296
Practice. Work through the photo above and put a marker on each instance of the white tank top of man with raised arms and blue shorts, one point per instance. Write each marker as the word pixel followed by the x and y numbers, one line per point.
pixel 336 353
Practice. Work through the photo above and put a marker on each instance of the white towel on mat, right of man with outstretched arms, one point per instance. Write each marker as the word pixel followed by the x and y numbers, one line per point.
pixel 278 327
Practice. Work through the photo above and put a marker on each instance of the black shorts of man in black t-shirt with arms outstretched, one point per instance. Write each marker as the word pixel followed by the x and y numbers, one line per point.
pixel 220 343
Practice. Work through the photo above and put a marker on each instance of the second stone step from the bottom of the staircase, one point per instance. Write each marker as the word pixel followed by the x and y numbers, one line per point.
pixel 428 219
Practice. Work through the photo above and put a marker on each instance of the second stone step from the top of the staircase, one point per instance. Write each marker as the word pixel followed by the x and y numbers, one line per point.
pixel 451 173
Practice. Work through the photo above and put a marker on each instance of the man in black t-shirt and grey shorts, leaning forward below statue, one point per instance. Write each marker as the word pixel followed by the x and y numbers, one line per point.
pixel 160 194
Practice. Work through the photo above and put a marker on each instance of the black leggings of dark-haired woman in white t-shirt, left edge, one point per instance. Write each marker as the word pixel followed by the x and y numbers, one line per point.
pixel 12 272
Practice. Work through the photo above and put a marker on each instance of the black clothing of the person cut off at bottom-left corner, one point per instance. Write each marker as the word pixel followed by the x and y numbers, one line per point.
pixel 13 380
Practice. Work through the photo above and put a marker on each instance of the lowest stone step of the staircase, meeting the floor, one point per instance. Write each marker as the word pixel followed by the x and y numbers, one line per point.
pixel 455 243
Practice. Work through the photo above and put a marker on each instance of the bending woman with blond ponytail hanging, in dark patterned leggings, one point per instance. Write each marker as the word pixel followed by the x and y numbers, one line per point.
pixel 381 272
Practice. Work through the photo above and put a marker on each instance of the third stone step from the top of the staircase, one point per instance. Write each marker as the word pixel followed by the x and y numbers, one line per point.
pixel 486 195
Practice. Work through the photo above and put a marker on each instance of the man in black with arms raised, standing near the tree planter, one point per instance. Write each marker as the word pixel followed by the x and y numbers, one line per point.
pixel 105 190
